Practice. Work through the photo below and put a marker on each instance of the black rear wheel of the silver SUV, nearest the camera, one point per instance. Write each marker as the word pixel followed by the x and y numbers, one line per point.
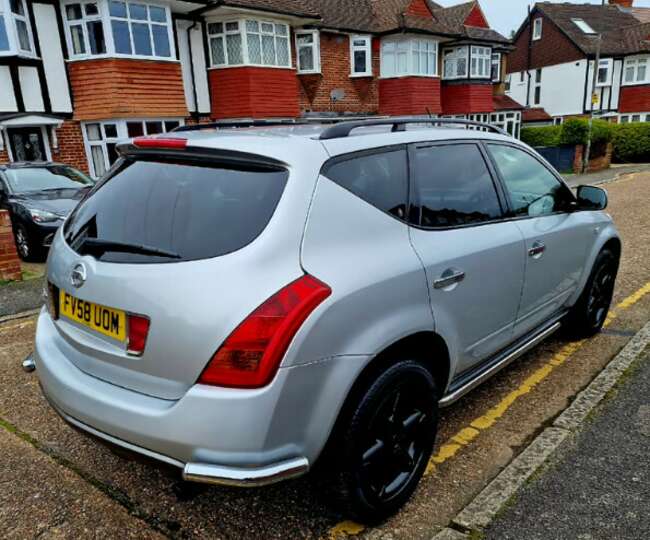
pixel 385 442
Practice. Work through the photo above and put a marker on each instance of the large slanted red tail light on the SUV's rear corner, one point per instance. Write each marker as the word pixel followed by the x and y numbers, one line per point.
pixel 251 355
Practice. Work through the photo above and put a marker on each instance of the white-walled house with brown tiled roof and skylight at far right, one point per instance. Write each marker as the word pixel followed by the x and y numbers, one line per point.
pixel 552 69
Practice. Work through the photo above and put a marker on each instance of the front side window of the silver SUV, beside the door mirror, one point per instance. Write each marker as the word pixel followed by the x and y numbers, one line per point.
pixel 533 189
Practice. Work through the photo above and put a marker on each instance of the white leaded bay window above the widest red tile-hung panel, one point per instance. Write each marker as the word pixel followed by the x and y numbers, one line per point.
pixel 249 42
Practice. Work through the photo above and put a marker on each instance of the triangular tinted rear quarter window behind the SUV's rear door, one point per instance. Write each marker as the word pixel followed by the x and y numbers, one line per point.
pixel 380 179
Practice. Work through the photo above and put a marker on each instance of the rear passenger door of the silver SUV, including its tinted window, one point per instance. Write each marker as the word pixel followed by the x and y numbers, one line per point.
pixel 474 259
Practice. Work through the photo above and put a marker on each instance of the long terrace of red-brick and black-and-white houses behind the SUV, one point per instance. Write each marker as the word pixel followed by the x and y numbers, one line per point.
pixel 77 76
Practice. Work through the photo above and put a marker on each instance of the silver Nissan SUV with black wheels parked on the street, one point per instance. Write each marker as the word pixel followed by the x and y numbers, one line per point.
pixel 240 303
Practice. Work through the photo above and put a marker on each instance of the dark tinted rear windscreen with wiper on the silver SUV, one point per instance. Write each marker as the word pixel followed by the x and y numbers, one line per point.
pixel 146 209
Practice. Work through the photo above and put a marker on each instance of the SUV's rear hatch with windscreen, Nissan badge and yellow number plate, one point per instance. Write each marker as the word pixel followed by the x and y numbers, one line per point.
pixel 184 248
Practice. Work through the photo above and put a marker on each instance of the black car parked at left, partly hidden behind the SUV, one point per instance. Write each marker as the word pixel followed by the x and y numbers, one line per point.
pixel 39 196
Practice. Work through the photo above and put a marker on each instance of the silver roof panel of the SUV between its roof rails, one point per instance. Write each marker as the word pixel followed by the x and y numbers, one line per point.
pixel 289 143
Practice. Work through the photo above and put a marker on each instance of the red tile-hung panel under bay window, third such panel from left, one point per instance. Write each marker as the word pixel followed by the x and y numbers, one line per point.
pixel 409 95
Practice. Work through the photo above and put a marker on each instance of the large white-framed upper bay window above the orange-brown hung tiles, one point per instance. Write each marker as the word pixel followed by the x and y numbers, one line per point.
pixel 119 28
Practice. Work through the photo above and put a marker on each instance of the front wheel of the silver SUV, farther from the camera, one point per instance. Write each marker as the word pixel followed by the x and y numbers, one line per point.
pixel 588 315
